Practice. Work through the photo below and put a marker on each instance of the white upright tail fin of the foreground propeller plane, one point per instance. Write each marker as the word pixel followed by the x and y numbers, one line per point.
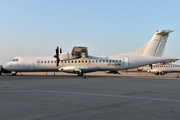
pixel 155 47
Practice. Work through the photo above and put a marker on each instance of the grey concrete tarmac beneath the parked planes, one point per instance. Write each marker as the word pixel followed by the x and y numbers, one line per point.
pixel 98 97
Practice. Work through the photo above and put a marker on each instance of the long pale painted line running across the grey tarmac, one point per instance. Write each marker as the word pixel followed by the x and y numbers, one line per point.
pixel 94 94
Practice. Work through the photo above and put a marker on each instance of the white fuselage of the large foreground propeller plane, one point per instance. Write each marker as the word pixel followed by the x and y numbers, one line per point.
pixel 90 64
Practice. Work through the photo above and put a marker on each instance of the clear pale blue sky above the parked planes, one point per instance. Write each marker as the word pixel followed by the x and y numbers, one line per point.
pixel 36 27
